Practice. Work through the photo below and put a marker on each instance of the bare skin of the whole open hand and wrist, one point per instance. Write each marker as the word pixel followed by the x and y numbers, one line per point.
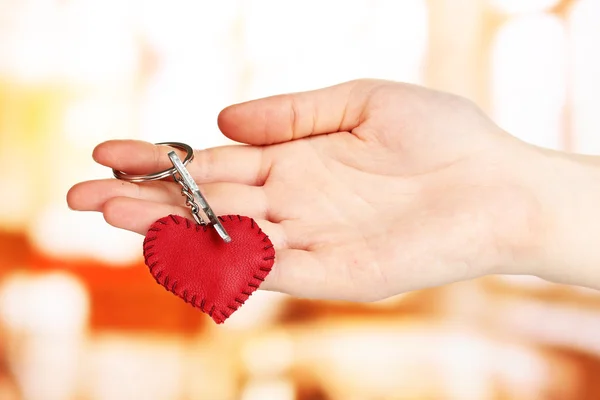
pixel 371 188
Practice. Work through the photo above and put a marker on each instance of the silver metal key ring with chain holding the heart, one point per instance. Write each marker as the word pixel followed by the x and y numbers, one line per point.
pixel 189 187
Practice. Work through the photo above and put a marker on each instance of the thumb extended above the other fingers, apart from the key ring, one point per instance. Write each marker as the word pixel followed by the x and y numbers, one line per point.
pixel 287 117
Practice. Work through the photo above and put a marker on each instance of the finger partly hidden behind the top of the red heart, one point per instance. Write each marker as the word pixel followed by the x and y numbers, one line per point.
pixel 138 215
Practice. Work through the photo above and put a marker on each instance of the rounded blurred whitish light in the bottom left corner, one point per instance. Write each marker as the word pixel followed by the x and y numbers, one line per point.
pixel 46 316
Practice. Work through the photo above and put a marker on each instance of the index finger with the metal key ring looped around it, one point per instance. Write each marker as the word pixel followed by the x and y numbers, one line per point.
pixel 235 163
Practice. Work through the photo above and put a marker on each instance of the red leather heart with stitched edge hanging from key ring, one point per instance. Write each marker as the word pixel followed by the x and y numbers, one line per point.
pixel 193 262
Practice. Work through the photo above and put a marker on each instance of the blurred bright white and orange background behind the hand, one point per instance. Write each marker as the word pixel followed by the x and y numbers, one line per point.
pixel 80 322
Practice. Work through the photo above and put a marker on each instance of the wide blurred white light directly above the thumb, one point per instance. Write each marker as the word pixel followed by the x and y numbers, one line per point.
pixel 386 40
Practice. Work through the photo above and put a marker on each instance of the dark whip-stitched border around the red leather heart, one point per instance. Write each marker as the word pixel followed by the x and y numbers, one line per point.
pixel 253 284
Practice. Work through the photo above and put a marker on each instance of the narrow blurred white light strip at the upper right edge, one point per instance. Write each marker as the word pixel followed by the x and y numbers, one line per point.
pixel 585 31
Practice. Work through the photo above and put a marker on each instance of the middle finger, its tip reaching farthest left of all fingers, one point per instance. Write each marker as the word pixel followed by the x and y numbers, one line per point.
pixel 224 198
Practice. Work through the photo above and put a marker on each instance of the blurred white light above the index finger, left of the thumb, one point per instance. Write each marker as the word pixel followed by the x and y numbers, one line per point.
pixel 196 70
